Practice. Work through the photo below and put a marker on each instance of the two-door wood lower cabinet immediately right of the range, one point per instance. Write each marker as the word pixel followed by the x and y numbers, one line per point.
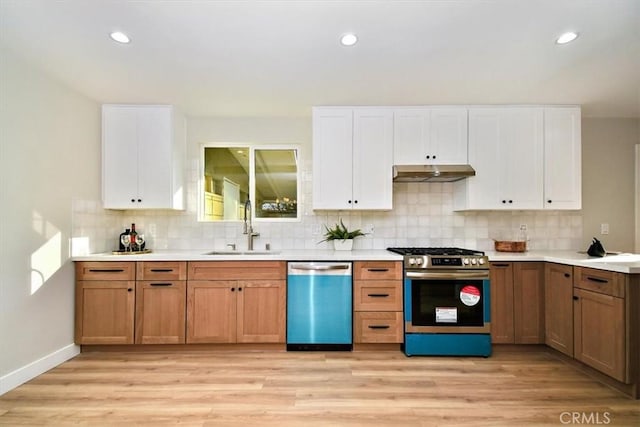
pixel 517 302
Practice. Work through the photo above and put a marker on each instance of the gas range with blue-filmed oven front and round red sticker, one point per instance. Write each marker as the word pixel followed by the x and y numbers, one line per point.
pixel 446 302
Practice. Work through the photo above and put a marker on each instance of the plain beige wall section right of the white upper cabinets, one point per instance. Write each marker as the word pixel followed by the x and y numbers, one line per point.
pixel 608 180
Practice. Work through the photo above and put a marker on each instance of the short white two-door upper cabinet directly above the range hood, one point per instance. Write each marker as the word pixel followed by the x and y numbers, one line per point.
pixel 430 135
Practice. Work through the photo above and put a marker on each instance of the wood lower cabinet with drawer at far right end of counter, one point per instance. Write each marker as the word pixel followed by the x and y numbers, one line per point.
pixel 600 336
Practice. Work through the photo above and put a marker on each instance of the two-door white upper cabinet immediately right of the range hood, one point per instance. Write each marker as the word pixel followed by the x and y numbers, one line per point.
pixel 506 150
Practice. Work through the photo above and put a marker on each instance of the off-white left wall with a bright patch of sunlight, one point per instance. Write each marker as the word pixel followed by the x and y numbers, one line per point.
pixel 50 155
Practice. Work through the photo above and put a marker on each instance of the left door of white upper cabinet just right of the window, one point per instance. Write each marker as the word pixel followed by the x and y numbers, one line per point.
pixel 332 158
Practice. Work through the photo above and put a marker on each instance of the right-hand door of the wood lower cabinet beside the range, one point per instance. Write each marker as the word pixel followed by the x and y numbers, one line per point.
pixel 528 302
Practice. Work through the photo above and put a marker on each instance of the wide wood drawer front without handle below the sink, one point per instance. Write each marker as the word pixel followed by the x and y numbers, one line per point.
pixel 236 270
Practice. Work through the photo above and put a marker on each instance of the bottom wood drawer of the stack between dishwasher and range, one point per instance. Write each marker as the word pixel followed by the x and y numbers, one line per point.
pixel 378 327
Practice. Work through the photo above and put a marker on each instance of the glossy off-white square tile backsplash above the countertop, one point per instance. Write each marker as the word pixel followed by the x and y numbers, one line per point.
pixel 422 216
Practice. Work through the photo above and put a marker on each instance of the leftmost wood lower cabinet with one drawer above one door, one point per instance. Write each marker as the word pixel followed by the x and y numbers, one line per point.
pixel 105 302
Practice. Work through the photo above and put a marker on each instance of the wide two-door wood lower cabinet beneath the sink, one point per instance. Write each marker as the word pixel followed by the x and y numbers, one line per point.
pixel 229 308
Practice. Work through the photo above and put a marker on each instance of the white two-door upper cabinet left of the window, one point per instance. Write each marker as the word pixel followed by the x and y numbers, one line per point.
pixel 143 150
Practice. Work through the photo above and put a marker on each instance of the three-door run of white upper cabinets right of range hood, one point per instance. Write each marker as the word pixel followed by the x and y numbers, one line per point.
pixel 524 157
